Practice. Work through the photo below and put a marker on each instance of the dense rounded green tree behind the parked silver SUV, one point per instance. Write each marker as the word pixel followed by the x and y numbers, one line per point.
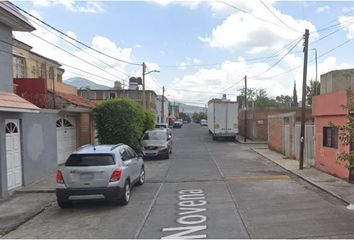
pixel 122 121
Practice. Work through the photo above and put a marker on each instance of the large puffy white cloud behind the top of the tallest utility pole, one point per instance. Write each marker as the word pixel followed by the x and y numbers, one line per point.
pixel 243 31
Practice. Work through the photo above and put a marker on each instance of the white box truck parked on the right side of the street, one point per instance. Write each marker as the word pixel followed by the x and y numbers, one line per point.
pixel 223 118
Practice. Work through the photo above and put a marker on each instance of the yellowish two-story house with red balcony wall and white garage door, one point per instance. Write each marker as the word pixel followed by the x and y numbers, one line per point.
pixel 39 80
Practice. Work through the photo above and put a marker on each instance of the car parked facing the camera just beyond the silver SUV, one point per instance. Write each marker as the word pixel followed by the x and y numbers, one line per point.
pixel 156 143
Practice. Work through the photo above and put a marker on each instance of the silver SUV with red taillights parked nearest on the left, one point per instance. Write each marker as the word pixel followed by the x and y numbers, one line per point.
pixel 99 172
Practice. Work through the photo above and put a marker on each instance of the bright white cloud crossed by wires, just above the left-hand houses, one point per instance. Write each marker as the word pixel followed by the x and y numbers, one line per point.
pixel 112 69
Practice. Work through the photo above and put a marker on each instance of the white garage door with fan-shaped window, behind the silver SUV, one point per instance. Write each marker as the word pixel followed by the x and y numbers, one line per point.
pixel 66 138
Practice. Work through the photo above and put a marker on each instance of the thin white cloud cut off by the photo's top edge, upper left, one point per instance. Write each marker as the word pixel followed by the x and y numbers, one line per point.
pixel 72 5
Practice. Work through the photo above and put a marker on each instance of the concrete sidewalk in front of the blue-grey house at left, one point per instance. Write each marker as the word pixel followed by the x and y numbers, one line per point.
pixel 26 203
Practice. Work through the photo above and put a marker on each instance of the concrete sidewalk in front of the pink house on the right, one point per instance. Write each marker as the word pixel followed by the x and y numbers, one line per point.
pixel 335 186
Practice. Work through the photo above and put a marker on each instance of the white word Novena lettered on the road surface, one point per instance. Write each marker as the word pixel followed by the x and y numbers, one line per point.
pixel 190 209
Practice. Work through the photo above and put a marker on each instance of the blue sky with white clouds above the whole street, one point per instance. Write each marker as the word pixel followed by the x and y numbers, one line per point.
pixel 202 49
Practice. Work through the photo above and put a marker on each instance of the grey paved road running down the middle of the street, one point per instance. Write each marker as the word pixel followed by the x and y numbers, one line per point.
pixel 206 189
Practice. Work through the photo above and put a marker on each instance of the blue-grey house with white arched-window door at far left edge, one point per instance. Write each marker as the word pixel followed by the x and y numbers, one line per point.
pixel 26 134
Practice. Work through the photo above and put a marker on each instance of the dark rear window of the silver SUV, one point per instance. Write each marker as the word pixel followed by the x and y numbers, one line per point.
pixel 86 160
